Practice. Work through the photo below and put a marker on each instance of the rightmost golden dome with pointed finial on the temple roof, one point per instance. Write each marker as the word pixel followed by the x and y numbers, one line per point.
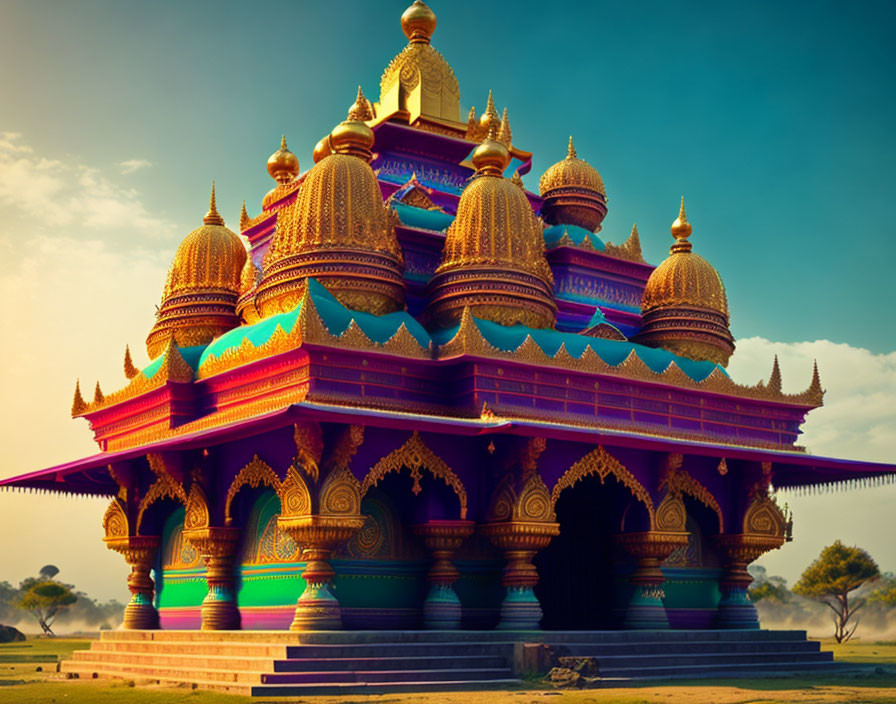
pixel 684 307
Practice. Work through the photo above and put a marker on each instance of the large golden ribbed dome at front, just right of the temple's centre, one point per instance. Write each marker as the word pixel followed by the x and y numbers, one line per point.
pixel 493 257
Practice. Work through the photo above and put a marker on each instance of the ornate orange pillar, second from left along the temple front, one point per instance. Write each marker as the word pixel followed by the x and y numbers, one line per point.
pixel 217 545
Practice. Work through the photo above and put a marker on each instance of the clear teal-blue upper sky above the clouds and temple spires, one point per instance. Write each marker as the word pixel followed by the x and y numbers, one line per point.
pixel 775 120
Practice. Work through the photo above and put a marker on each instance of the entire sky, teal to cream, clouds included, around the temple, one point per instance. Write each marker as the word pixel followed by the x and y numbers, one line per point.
pixel 774 119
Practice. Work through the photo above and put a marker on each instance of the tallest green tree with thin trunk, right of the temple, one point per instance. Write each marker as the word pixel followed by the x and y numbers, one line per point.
pixel 838 571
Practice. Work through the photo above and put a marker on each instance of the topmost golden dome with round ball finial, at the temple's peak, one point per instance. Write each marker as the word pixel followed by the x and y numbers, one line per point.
pixel 419 81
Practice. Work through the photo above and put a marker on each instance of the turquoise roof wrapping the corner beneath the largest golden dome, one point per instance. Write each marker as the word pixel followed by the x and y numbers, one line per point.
pixel 336 317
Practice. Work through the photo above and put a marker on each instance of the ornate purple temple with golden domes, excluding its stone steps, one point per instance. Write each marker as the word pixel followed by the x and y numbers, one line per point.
pixel 412 394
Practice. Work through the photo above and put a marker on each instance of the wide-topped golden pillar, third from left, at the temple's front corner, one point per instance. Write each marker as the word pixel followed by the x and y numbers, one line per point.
pixel 317 608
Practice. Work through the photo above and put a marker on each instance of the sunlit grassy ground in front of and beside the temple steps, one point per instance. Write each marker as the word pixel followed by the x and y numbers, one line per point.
pixel 28 676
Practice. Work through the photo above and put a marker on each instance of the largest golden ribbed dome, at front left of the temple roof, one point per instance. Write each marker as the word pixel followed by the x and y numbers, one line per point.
pixel 339 231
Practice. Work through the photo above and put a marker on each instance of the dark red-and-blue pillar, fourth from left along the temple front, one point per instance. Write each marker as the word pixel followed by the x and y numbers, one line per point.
pixel 442 609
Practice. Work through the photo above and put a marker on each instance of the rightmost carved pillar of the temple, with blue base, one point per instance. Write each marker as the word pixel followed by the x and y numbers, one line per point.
pixel 737 551
